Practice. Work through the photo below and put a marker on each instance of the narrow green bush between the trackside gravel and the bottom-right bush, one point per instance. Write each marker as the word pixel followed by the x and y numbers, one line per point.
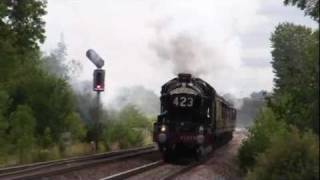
pixel 265 127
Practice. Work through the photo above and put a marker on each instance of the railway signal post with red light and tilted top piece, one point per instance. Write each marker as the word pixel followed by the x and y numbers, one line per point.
pixel 98 86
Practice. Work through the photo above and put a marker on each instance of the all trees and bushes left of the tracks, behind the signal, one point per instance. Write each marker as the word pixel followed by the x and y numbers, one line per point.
pixel 40 114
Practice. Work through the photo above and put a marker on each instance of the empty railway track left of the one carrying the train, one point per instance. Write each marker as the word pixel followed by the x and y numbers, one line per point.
pixel 50 168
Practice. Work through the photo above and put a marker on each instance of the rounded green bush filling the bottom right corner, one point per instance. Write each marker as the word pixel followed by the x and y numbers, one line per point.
pixel 292 156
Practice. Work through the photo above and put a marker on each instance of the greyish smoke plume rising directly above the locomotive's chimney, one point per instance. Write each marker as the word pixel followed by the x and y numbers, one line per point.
pixel 190 52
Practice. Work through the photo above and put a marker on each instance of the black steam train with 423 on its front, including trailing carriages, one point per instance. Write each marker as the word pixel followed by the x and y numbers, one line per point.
pixel 193 118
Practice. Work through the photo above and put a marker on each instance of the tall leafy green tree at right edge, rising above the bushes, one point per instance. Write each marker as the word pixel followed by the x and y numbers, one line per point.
pixel 295 62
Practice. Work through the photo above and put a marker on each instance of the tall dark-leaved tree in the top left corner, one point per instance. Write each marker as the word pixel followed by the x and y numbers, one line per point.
pixel 21 31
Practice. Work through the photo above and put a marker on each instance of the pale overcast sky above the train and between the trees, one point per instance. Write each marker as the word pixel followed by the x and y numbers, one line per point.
pixel 146 42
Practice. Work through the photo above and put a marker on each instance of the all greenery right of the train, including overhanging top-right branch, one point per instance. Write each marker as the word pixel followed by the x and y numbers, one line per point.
pixel 283 142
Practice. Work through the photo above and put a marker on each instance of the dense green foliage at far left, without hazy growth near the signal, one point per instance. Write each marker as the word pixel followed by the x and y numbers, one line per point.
pixel 36 106
